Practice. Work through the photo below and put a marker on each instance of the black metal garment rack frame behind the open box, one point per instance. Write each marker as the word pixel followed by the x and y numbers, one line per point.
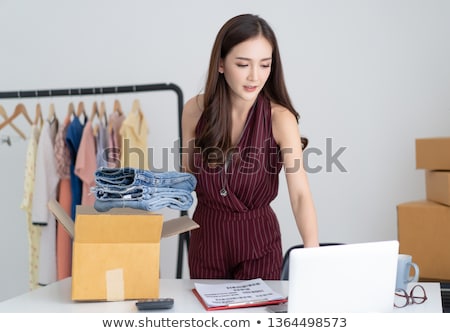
pixel 182 238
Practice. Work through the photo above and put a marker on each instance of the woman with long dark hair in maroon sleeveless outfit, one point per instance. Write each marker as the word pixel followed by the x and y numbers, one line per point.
pixel 236 137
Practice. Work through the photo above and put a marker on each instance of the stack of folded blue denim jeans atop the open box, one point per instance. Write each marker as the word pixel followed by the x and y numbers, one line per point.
pixel 142 189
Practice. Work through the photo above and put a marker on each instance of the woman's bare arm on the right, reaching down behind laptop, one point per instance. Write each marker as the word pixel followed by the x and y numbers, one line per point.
pixel 286 134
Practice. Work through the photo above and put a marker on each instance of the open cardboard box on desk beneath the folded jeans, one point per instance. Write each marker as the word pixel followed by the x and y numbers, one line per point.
pixel 116 254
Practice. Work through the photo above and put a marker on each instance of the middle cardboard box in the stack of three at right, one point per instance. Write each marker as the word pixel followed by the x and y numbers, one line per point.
pixel 438 186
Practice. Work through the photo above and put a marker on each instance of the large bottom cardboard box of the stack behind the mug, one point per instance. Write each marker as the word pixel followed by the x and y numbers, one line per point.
pixel 424 233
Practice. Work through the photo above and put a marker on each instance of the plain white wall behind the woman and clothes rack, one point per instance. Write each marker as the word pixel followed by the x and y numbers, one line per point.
pixel 370 75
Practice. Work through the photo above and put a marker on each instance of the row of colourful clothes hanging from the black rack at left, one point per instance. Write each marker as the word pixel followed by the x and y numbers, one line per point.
pixel 63 158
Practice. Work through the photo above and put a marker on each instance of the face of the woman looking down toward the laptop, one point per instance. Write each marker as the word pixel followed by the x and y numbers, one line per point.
pixel 247 67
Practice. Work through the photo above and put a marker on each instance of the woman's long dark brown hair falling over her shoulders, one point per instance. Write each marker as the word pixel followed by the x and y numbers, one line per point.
pixel 216 131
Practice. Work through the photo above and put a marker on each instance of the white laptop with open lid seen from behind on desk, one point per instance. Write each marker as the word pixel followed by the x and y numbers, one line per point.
pixel 343 278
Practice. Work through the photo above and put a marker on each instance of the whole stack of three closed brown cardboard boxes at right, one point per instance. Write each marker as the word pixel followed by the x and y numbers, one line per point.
pixel 424 226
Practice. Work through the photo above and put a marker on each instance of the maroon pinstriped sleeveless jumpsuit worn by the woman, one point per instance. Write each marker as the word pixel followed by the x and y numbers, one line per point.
pixel 239 235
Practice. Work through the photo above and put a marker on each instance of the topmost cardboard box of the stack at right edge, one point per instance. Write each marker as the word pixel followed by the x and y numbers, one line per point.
pixel 433 153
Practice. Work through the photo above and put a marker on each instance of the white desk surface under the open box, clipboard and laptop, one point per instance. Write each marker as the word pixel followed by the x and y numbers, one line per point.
pixel 56 297
